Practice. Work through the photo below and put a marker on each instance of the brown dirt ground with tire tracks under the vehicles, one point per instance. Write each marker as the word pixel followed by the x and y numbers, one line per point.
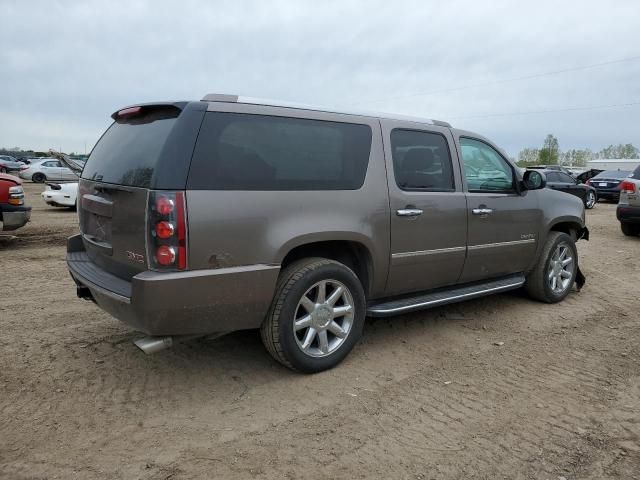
pixel 428 395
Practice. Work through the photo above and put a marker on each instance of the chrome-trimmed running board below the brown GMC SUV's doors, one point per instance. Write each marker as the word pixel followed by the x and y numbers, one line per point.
pixel 442 297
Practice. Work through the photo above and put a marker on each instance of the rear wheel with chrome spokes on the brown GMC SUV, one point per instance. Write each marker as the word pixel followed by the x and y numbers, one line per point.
pixel 316 317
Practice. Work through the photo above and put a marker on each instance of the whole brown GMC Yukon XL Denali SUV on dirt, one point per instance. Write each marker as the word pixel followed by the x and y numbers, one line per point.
pixel 201 218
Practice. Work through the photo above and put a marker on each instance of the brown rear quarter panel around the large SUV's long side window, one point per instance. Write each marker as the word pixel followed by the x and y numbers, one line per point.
pixel 234 228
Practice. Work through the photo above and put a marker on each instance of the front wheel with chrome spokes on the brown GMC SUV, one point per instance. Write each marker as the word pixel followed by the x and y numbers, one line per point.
pixel 555 273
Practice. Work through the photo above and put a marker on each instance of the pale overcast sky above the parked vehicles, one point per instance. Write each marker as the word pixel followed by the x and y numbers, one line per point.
pixel 66 66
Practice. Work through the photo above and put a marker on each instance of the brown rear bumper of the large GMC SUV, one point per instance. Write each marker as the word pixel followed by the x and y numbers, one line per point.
pixel 177 303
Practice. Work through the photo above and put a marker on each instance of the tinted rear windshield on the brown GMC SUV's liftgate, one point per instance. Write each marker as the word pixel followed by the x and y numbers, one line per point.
pixel 128 151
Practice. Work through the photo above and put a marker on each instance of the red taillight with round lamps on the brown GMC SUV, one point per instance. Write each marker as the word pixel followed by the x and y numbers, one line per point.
pixel 167 237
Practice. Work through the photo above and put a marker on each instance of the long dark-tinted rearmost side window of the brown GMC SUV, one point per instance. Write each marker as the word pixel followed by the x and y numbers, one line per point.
pixel 260 152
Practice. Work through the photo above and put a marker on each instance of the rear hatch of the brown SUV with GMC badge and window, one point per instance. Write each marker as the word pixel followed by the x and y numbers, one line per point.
pixel 147 148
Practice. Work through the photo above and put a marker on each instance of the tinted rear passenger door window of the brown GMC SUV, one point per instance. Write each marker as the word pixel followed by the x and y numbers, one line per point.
pixel 421 161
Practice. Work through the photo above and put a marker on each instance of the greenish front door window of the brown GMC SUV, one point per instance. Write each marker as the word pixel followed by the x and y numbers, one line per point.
pixel 484 168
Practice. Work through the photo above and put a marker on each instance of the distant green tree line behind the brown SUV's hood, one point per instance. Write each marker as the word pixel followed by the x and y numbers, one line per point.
pixel 550 154
